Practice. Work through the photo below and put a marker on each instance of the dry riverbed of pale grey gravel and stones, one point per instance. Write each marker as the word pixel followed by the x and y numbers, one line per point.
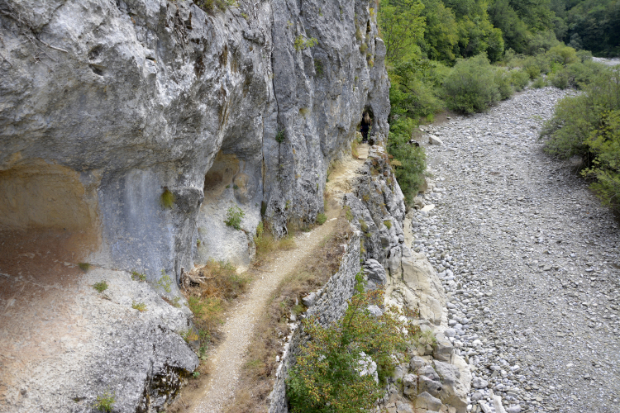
pixel 529 260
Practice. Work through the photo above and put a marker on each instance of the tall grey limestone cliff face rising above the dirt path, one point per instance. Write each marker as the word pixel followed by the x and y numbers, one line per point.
pixel 163 116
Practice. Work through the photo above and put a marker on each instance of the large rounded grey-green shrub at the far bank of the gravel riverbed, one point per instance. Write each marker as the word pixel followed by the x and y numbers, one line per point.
pixel 468 88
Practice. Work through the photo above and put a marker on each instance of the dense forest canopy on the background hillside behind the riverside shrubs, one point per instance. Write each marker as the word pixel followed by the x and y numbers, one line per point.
pixel 445 30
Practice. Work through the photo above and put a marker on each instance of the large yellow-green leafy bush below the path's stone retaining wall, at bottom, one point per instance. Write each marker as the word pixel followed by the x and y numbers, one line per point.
pixel 327 376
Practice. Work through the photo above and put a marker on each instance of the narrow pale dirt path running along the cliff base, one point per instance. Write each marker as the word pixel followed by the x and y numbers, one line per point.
pixel 227 359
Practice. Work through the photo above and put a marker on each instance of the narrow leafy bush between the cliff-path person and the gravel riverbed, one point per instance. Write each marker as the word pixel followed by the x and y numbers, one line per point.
pixel 411 159
